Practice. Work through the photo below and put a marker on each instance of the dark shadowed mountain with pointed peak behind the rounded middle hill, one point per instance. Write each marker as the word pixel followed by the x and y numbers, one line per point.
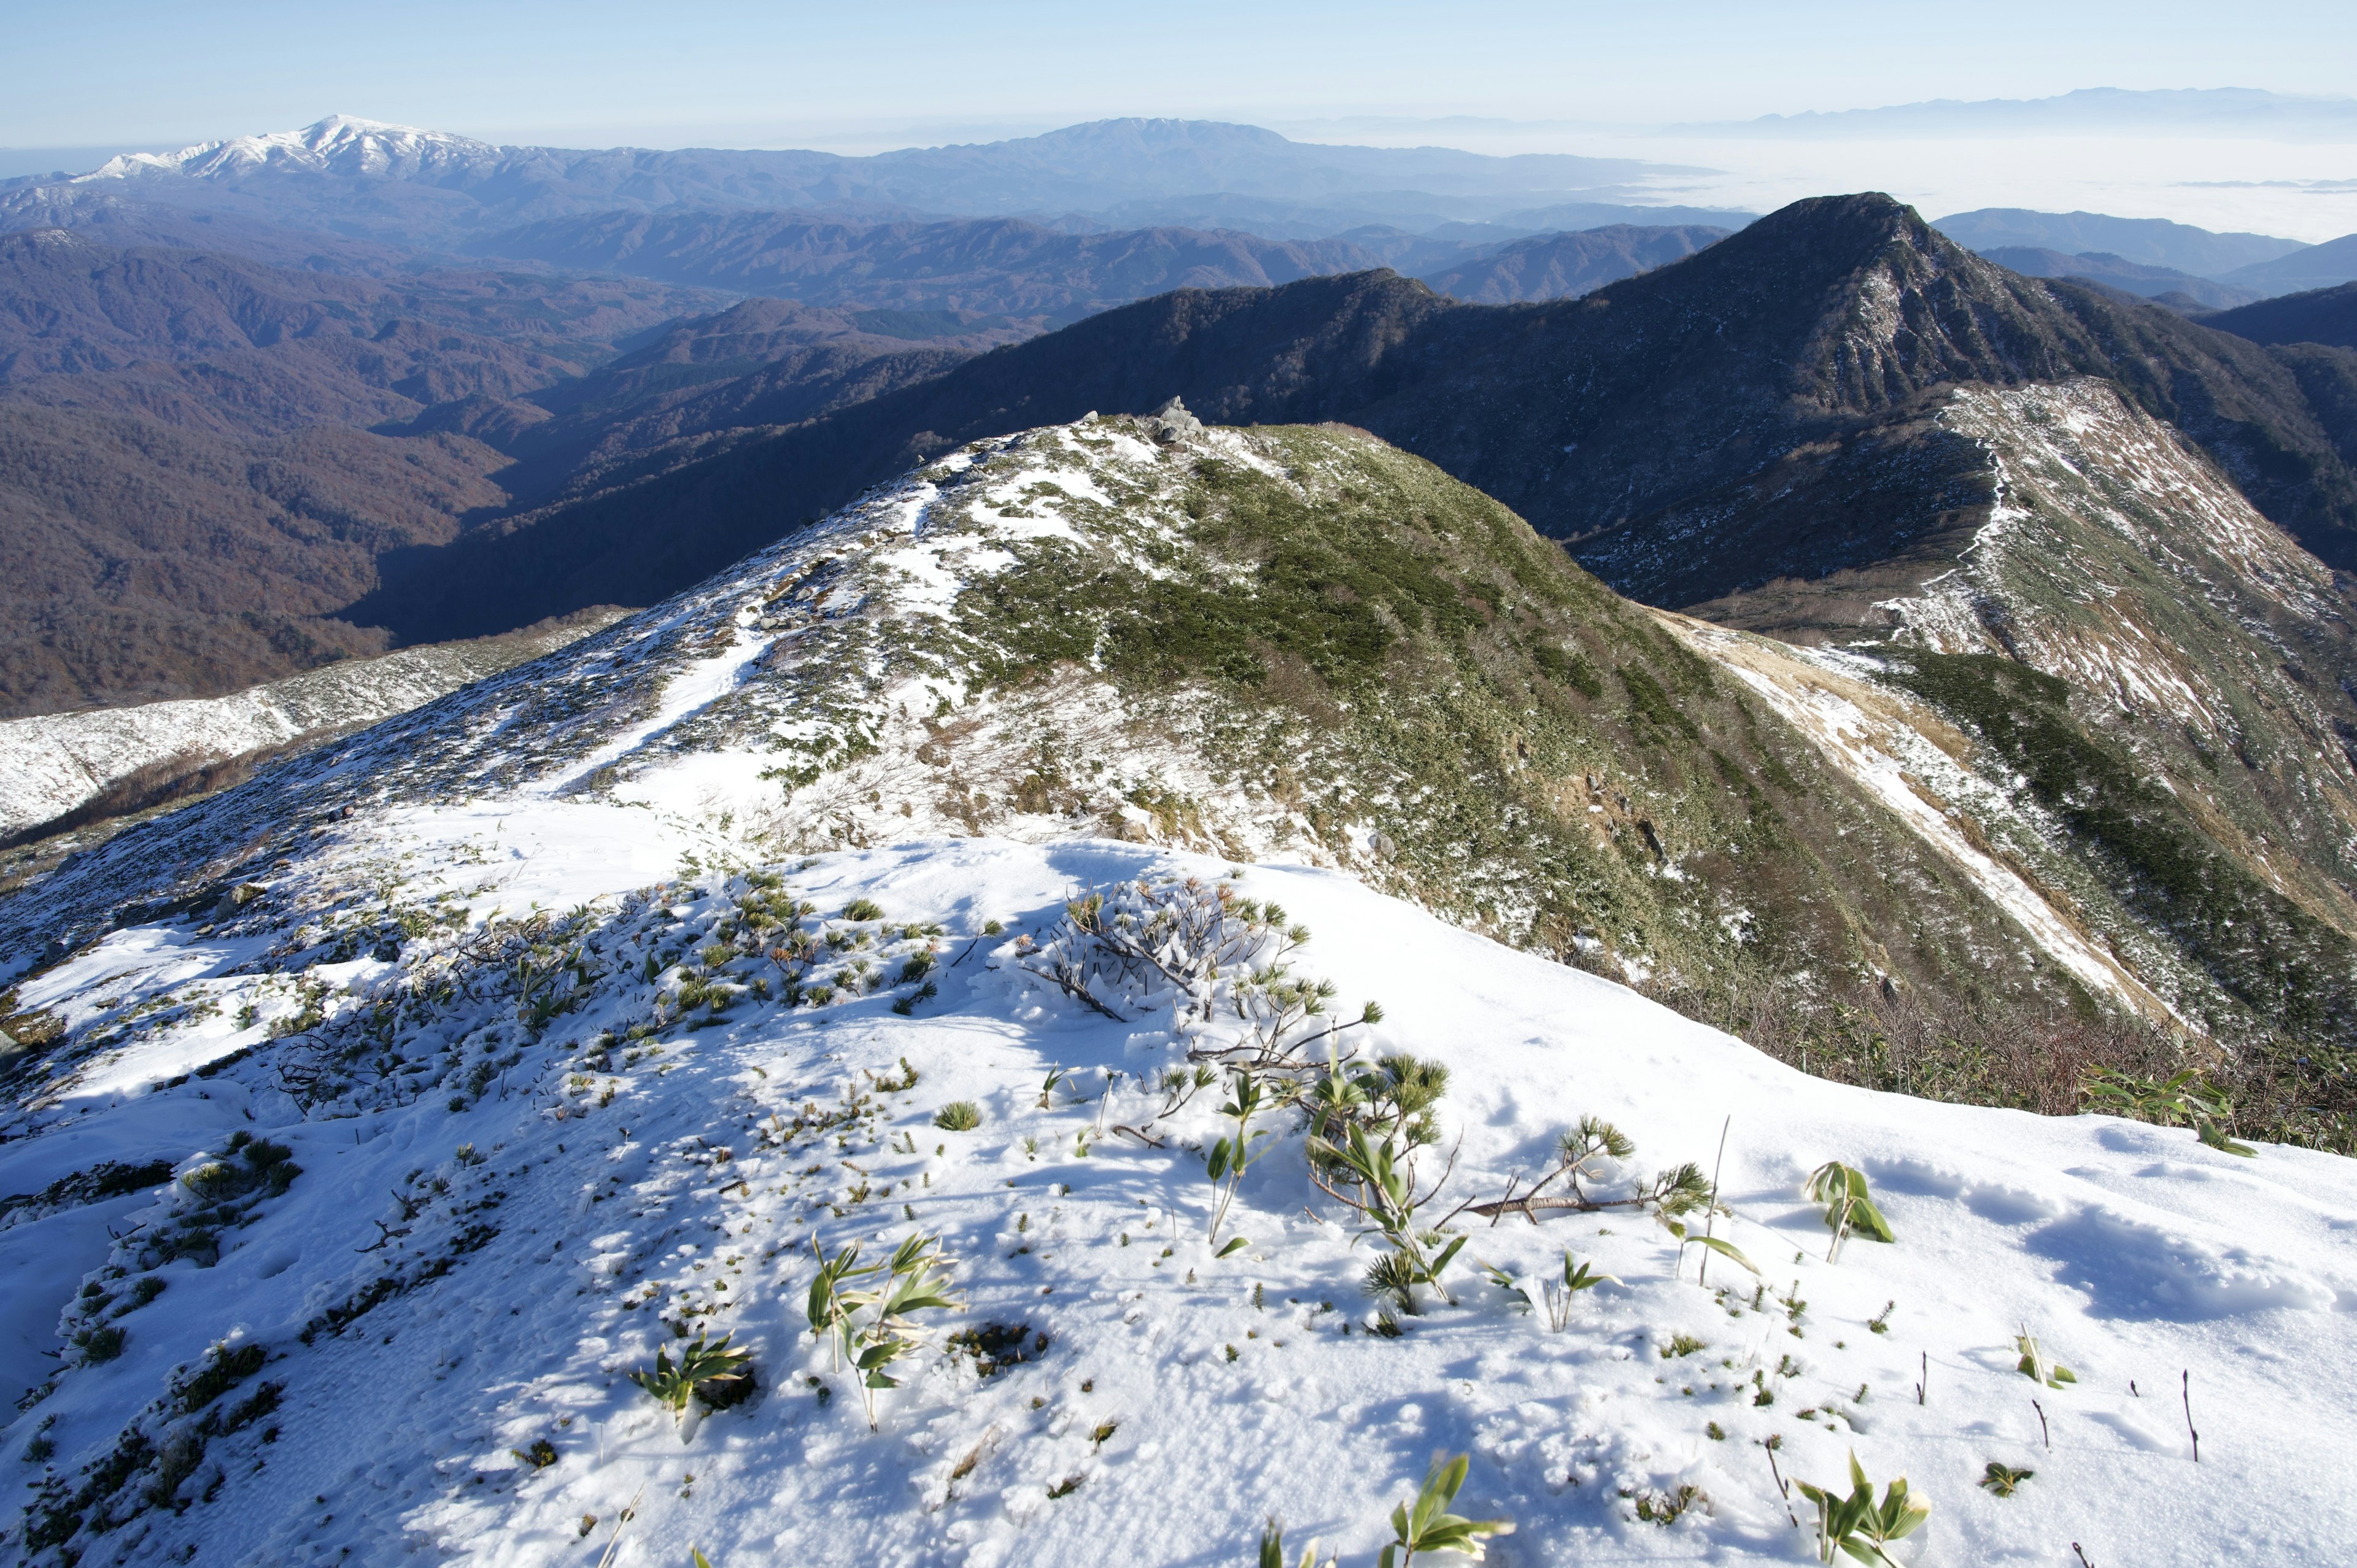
pixel 1651 426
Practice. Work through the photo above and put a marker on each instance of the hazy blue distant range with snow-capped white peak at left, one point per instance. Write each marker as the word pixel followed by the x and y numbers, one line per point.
pixel 437 192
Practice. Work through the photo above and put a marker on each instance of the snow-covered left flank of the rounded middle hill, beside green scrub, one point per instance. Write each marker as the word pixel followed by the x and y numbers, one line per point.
pixel 828 664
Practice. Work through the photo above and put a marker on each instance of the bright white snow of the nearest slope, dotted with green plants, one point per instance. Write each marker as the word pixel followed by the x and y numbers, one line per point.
pixel 541 1237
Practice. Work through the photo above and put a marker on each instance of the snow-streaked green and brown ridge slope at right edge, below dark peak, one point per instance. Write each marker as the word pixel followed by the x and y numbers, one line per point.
pixel 2115 607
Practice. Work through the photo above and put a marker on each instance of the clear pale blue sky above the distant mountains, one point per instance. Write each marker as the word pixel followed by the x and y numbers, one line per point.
pixel 864 74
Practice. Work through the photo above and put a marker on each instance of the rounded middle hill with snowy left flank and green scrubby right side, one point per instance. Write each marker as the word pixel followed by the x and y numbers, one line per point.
pixel 1076 631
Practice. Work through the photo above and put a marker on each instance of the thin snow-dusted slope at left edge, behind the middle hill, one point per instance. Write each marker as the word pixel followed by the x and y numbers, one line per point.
pixel 58 763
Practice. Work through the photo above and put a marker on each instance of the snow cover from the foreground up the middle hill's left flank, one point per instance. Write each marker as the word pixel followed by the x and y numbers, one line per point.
pixel 378 1119
